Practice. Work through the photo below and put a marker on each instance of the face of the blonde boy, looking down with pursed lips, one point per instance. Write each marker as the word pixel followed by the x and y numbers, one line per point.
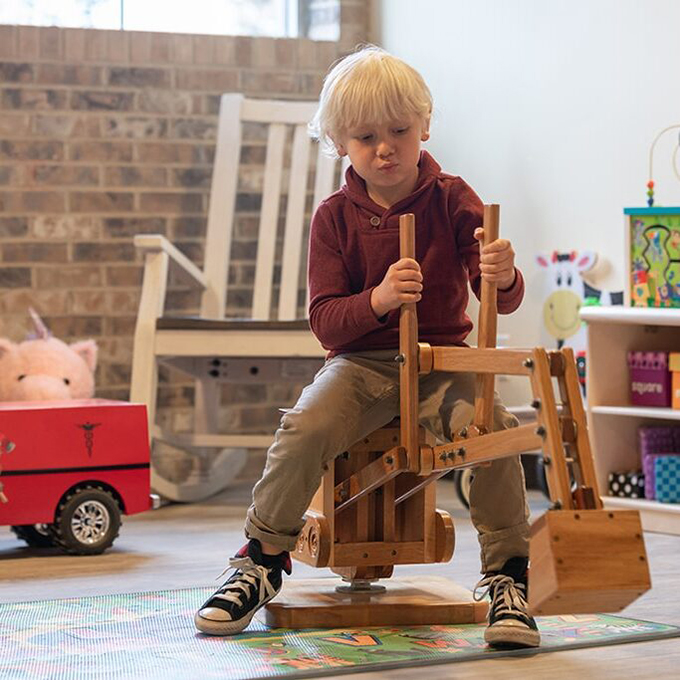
pixel 386 155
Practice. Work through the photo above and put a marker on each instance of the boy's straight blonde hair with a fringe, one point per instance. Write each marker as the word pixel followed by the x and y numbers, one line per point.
pixel 368 86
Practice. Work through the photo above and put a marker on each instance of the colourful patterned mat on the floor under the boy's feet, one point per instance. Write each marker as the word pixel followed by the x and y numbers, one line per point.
pixel 151 635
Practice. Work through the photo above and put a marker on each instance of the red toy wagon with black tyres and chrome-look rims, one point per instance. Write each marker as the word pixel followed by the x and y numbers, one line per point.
pixel 69 469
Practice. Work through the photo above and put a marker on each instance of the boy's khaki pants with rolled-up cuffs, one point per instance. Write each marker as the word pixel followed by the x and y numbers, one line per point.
pixel 353 395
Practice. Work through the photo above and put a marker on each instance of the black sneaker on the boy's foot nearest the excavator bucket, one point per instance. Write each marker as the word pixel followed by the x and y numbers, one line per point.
pixel 509 621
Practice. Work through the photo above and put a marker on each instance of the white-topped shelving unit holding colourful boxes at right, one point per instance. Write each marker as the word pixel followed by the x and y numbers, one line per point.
pixel 613 422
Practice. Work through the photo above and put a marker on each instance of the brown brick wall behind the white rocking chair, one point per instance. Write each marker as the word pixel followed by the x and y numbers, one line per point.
pixel 105 134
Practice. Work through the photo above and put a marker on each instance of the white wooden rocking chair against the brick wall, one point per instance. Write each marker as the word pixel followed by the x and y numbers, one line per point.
pixel 273 344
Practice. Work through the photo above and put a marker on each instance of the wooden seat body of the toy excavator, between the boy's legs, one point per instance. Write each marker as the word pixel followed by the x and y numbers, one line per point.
pixel 398 524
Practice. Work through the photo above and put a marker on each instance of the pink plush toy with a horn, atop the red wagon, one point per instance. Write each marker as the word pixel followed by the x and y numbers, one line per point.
pixel 45 368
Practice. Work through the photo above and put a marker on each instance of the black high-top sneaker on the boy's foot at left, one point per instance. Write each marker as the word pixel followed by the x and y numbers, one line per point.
pixel 257 578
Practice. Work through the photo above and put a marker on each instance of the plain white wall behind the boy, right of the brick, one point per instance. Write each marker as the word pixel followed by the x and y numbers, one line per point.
pixel 548 107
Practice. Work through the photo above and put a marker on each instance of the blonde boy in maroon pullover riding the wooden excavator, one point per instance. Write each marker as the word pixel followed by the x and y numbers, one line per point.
pixel 376 109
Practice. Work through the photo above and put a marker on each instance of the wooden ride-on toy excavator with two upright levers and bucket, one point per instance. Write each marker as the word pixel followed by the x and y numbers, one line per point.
pixel 376 505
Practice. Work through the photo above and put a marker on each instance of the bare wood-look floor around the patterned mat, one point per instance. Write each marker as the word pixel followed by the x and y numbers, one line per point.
pixel 182 546
